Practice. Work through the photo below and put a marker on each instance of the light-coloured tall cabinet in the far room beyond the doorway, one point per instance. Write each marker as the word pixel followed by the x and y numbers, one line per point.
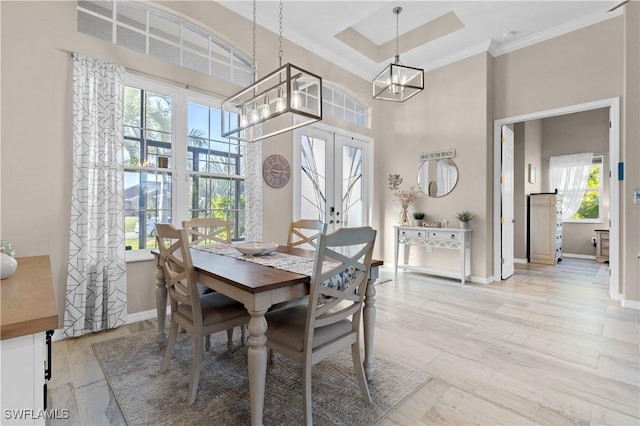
pixel 545 228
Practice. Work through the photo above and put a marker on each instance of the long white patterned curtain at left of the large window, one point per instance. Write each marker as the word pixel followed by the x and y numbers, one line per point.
pixel 96 297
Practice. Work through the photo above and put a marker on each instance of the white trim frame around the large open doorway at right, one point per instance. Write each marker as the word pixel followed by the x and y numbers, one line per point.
pixel 614 197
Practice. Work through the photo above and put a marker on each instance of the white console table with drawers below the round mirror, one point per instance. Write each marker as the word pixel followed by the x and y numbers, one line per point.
pixel 442 238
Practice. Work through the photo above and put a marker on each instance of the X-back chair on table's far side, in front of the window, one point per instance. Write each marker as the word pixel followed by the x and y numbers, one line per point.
pixel 212 230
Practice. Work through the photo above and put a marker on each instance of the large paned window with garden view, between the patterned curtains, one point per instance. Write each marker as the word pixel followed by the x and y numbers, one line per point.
pixel 214 169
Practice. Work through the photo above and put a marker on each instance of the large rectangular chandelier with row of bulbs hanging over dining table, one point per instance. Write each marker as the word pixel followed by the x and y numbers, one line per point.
pixel 286 99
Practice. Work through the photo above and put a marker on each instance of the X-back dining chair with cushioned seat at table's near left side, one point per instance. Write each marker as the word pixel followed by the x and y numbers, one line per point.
pixel 197 314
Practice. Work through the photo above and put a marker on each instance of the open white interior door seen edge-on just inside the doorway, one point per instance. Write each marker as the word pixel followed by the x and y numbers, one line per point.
pixel 506 204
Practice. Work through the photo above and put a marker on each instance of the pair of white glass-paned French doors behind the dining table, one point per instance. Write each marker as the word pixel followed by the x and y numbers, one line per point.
pixel 333 182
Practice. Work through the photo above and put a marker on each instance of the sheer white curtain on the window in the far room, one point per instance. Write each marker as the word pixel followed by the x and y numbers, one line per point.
pixel 569 174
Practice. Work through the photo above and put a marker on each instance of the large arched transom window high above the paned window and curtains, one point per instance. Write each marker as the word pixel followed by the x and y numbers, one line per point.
pixel 155 33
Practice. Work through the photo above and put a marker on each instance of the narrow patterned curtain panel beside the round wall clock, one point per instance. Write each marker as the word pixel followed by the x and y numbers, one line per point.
pixel 253 191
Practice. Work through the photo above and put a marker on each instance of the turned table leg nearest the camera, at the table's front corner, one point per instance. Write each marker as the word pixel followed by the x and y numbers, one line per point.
pixel 257 360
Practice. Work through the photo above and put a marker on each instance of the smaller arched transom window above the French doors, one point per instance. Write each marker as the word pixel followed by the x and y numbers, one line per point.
pixel 337 103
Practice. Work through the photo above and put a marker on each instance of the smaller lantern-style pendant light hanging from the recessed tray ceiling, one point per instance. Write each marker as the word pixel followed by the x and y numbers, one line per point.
pixel 398 82
